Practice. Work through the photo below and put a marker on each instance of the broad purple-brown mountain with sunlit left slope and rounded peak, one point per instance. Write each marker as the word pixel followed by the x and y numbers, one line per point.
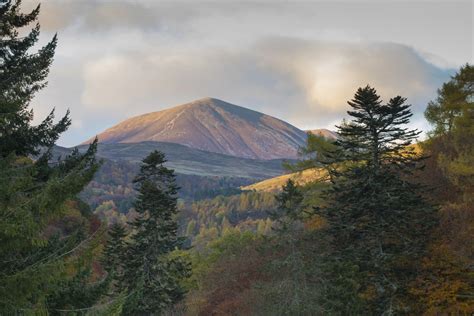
pixel 215 126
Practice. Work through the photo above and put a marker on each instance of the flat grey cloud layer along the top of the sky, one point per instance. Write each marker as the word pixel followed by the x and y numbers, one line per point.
pixel 433 27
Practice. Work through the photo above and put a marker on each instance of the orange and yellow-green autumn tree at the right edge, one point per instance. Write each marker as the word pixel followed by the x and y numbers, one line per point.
pixel 447 282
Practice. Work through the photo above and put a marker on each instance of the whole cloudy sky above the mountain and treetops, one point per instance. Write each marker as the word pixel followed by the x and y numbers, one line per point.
pixel 297 61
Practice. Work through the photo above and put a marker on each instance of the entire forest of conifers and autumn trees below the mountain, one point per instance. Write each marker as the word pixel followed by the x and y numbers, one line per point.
pixel 387 231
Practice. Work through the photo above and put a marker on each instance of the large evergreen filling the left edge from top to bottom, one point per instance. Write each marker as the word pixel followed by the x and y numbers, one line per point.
pixel 37 255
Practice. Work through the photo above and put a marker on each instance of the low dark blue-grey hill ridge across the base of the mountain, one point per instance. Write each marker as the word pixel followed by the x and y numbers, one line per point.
pixel 186 160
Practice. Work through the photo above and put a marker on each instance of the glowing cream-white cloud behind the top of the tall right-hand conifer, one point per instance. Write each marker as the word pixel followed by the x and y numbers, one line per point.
pixel 328 73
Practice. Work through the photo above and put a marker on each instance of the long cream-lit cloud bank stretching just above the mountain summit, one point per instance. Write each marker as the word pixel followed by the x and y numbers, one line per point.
pixel 305 82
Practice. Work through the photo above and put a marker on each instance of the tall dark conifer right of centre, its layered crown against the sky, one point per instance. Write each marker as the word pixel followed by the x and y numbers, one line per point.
pixel 378 222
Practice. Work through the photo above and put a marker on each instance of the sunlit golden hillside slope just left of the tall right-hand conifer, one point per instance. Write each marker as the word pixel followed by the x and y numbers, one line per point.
pixel 275 184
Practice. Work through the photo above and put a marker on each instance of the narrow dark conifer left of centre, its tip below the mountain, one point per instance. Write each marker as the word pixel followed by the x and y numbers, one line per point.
pixel 152 274
